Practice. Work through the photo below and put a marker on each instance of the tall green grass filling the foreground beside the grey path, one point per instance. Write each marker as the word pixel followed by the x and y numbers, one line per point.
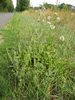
pixel 34 63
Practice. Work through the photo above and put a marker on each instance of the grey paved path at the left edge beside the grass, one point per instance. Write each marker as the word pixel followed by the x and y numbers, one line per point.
pixel 4 17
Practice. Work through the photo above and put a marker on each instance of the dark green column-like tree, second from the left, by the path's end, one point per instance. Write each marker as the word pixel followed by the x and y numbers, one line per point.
pixel 22 5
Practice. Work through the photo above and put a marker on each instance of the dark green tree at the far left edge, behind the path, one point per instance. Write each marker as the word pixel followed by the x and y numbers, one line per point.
pixel 6 6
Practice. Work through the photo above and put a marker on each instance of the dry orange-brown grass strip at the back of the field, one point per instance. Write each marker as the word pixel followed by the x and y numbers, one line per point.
pixel 66 17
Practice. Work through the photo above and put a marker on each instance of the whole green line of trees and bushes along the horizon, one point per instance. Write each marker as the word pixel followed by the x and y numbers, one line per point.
pixel 7 6
